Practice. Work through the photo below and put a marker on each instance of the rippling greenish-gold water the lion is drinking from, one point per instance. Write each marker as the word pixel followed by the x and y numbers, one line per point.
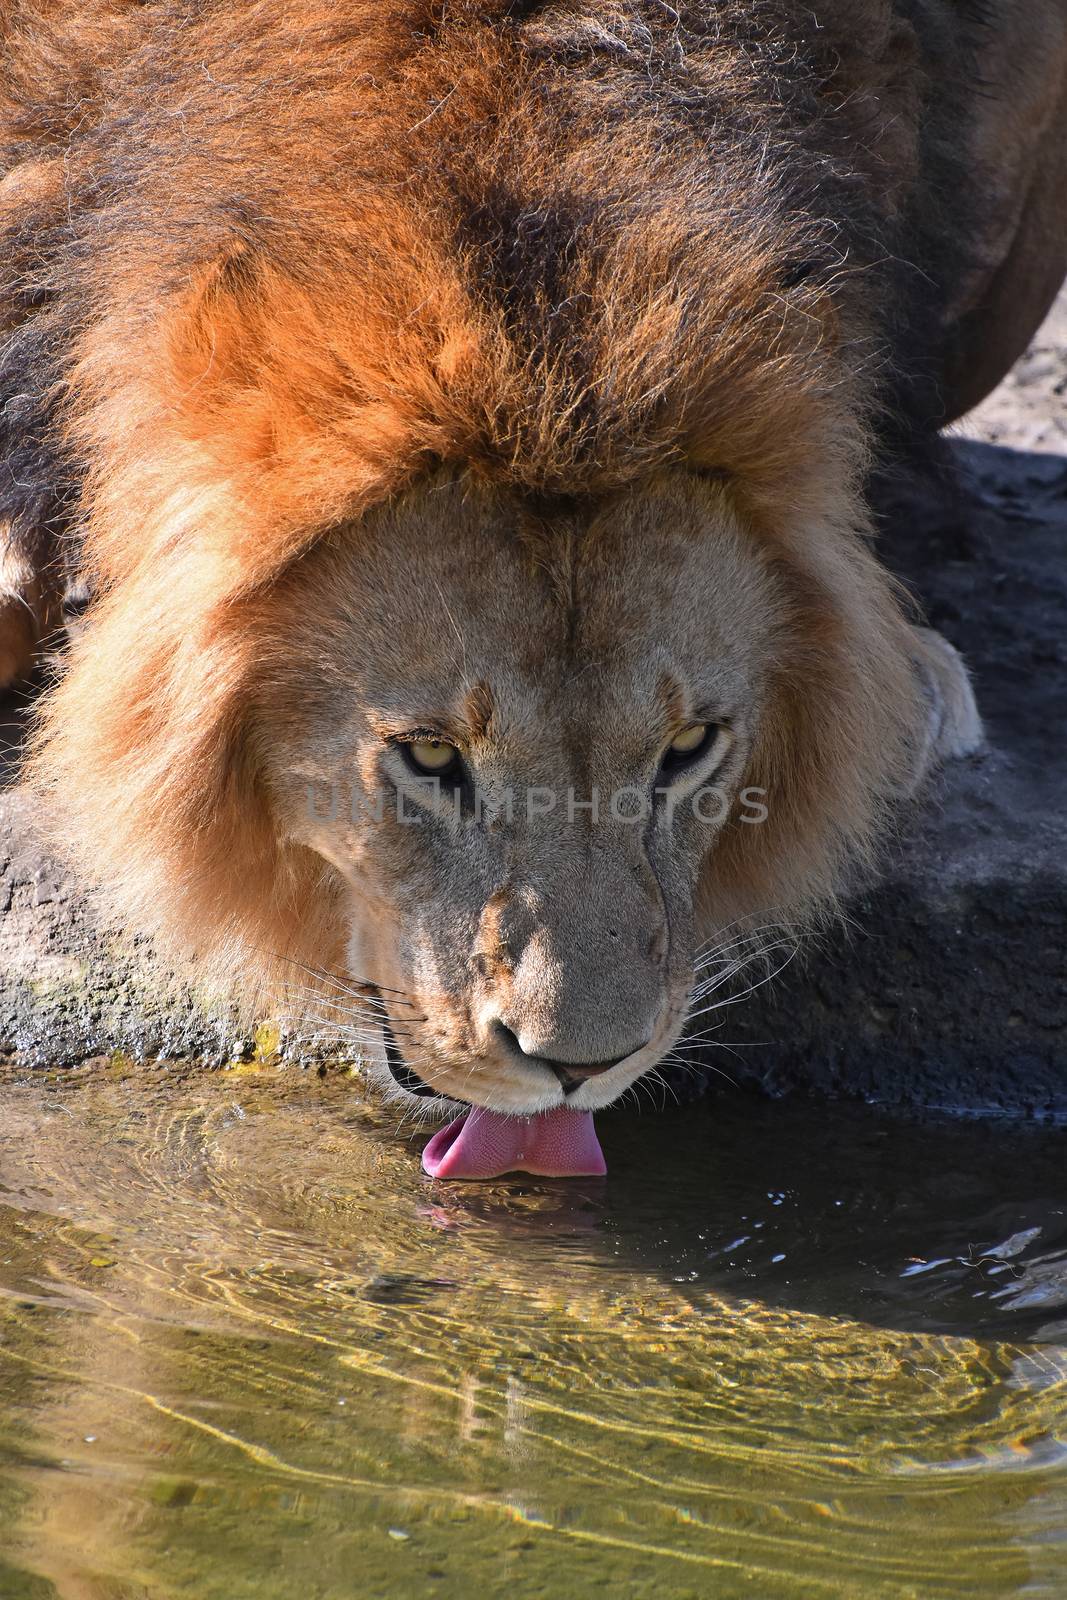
pixel 249 1351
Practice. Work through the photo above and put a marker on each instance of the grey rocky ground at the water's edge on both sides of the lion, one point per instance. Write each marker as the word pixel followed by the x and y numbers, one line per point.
pixel 948 990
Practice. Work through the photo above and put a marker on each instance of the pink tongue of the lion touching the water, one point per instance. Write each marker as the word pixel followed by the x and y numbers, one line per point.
pixel 486 1145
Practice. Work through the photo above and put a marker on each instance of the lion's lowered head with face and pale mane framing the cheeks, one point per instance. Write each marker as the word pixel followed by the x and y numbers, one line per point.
pixel 502 769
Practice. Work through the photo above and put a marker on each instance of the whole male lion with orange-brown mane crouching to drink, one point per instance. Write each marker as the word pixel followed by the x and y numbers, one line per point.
pixel 462 415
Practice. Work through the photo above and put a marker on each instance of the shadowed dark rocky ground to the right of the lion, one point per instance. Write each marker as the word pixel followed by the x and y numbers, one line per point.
pixel 951 985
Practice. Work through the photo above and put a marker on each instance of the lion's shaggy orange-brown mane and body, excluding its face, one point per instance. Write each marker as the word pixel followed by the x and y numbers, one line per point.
pixel 266 270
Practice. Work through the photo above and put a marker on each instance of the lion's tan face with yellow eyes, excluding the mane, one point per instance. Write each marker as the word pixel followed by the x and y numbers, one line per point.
pixel 518 746
